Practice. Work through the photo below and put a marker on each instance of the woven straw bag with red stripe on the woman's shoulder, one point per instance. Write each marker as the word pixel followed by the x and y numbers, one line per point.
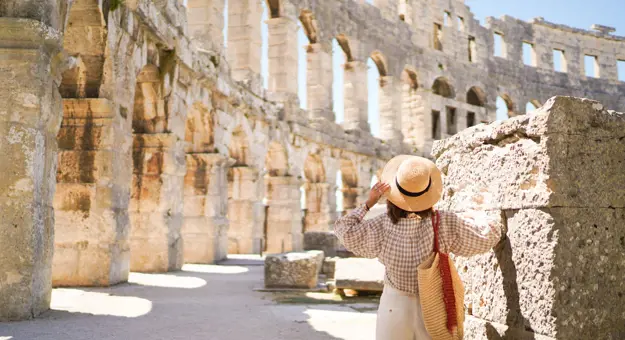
pixel 441 293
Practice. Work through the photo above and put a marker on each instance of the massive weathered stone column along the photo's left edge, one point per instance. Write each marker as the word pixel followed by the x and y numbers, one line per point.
pixel 29 121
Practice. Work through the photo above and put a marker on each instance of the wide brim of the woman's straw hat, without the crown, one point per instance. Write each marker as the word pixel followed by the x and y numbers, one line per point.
pixel 413 204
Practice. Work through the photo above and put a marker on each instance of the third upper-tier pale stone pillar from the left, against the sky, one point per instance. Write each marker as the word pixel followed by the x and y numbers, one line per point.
pixel 282 55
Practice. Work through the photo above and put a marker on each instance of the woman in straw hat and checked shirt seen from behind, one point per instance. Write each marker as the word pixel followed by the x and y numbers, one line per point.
pixel 403 238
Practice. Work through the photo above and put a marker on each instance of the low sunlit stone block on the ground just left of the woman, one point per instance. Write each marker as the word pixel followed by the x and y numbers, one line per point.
pixel 359 274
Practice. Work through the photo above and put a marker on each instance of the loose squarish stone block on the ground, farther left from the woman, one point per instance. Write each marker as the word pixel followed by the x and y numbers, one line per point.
pixel 293 270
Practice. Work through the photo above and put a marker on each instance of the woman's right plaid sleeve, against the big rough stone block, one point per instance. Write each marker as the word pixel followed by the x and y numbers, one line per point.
pixel 467 236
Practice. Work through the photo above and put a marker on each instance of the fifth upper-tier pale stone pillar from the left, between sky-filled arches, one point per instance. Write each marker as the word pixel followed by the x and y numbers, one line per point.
pixel 356 96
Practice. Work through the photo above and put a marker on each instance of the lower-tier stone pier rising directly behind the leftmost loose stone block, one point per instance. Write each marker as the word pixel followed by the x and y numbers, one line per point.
pixel 284 215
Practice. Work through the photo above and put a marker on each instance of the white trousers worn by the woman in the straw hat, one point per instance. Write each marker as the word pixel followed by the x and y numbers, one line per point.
pixel 400 317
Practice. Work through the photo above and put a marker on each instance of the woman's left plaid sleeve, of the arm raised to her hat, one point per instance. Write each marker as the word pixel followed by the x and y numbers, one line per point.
pixel 363 238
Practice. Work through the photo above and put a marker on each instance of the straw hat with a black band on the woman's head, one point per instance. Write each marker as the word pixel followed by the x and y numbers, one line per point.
pixel 415 182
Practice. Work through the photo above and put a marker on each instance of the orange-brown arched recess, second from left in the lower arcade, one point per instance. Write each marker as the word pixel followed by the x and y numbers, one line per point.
pixel 149 114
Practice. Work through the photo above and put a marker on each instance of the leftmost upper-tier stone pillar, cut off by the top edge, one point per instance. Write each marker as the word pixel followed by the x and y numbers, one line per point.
pixel 206 23
